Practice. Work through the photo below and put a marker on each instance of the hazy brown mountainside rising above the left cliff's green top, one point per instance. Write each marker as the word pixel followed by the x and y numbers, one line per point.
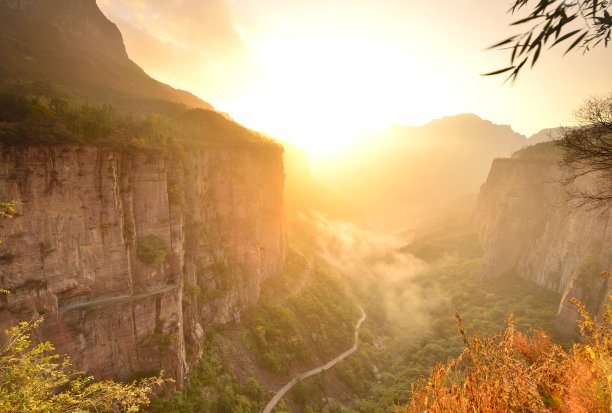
pixel 65 48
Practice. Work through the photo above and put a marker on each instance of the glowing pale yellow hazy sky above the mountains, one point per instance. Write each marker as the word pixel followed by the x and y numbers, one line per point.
pixel 314 72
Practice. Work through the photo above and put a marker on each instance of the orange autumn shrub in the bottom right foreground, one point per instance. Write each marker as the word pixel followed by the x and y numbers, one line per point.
pixel 512 372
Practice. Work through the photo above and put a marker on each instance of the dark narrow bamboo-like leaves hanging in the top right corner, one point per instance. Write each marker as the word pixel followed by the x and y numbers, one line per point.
pixel 580 23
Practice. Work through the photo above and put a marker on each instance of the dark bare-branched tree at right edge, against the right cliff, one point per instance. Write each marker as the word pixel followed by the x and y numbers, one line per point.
pixel 587 149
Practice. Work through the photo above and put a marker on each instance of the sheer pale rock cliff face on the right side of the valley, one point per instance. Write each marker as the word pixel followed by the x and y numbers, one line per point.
pixel 527 227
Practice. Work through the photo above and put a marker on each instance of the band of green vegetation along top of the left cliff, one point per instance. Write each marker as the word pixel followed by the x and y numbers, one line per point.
pixel 40 120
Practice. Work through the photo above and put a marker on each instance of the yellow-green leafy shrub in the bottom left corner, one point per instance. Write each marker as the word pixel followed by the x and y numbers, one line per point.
pixel 35 379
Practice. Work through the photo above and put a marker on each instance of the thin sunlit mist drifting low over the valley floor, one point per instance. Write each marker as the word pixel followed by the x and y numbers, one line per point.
pixel 371 262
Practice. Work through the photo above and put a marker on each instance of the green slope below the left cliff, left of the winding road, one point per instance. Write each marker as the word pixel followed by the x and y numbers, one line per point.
pixel 303 319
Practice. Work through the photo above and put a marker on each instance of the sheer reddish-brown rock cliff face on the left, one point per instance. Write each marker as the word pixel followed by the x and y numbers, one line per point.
pixel 76 251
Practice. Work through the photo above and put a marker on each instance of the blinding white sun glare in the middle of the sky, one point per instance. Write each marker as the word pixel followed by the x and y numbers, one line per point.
pixel 320 92
